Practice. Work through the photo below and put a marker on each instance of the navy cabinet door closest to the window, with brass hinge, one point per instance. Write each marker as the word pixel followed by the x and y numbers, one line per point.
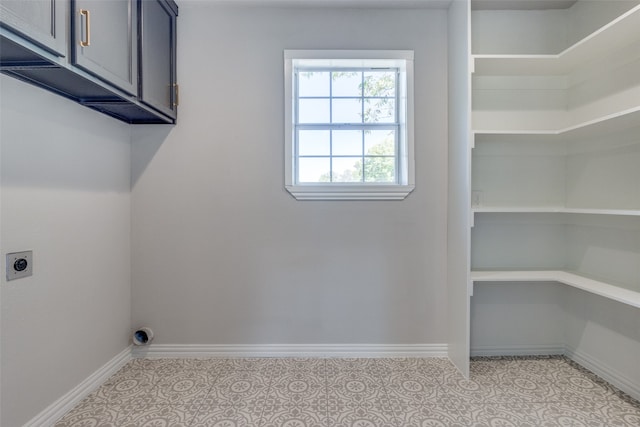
pixel 158 55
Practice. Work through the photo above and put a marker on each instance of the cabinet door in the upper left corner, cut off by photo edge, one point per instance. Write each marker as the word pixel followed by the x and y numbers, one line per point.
pixel 41 21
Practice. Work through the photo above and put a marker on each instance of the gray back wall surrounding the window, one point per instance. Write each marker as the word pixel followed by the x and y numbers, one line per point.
pixel 222 254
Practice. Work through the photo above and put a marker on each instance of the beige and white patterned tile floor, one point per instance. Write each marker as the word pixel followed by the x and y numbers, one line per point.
pixel 532 392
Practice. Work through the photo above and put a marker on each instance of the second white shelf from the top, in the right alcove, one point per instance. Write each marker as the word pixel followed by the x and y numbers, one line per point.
pixel 620 121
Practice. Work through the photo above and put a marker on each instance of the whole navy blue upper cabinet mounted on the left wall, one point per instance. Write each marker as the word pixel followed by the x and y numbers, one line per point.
pixel 117 57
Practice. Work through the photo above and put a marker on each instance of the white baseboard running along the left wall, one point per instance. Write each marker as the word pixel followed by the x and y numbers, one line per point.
pixel 57 409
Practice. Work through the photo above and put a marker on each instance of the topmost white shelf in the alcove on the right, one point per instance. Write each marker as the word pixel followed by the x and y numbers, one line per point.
pixel 621 31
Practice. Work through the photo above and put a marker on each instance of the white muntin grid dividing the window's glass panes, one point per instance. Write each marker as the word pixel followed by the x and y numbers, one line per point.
pixel 362 126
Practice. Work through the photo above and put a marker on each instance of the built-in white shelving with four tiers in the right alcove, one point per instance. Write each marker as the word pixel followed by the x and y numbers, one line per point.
pixel 543 125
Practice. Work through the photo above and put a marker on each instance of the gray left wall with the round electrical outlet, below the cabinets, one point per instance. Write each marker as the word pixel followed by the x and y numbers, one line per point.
pixel 65 195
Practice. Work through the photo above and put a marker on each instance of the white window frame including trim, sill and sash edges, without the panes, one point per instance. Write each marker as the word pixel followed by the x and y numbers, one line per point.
pixel 402 59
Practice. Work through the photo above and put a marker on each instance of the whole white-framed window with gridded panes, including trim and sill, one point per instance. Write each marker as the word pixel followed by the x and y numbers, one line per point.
pixel 348 124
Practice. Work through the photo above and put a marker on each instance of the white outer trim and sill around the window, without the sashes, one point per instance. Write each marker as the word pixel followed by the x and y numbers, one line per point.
pixel 334 191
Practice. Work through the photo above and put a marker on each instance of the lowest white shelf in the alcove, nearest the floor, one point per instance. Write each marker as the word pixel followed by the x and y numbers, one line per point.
pixel 596 287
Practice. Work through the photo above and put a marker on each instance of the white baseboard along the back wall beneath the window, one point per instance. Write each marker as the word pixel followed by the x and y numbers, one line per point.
pixel 291 350
